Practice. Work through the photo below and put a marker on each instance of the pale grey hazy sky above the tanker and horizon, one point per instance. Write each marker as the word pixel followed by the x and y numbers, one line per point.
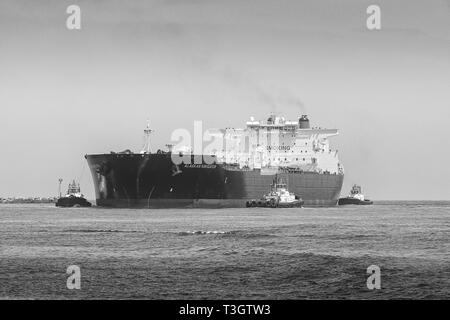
pixel 66 93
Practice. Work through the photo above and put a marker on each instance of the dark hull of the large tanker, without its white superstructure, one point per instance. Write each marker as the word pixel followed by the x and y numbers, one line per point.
pixel 153 181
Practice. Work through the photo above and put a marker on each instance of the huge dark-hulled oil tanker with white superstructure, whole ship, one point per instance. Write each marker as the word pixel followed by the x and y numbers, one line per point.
pixel 242 168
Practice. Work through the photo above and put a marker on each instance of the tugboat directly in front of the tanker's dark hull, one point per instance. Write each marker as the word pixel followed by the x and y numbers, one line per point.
pixel 278 197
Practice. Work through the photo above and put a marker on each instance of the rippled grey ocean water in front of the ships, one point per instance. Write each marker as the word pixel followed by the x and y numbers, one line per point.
pixel 254 253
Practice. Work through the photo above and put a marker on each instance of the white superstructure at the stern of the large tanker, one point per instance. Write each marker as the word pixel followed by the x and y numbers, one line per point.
pixel 278 142
